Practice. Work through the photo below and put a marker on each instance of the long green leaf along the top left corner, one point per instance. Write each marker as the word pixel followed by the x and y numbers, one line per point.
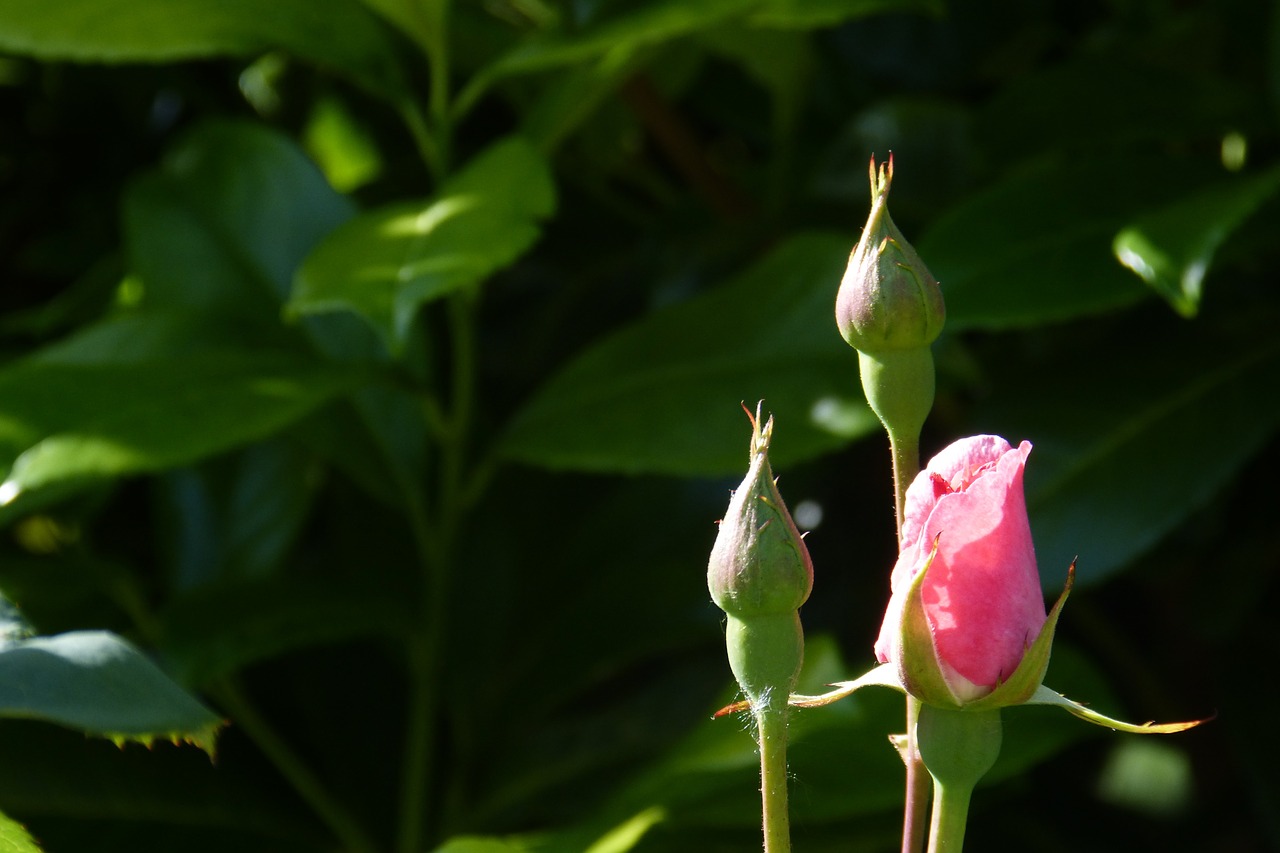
pixel 340 34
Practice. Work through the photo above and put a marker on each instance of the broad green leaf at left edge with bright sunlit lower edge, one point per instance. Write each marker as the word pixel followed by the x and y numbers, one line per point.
pixel 70 416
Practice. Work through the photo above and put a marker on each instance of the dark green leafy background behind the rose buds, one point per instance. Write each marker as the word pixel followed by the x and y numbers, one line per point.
pixel 372 364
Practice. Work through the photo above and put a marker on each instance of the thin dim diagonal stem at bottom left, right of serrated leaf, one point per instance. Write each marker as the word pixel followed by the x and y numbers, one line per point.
pixel 341 823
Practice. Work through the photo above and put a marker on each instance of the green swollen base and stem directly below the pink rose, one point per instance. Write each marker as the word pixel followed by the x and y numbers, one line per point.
pixel 959 747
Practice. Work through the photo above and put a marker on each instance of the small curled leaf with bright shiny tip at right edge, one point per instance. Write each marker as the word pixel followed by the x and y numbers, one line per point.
pixel 1173 248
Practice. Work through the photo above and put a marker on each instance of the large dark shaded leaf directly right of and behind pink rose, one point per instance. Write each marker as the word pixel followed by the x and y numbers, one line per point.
pixel 1131 440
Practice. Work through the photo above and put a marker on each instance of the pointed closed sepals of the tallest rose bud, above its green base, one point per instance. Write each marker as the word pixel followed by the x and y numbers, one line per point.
pixel 888 300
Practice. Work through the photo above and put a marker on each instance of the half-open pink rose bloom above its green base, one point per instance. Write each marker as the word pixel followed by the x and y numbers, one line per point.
pixel 981 596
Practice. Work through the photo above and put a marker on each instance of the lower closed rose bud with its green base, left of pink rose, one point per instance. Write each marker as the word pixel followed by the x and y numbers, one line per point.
pixel 760 574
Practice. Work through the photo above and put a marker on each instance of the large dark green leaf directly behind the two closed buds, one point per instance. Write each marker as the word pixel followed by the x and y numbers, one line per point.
pixel 665 395
